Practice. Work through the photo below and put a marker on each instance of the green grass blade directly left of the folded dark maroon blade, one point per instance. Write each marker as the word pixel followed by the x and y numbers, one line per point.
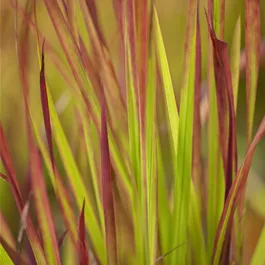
pixel 215 171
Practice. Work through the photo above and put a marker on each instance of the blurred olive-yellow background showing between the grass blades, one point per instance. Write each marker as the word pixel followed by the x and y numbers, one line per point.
pixel 172 15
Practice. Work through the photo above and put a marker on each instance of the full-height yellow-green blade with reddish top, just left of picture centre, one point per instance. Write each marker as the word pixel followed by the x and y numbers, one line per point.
pixel 136 136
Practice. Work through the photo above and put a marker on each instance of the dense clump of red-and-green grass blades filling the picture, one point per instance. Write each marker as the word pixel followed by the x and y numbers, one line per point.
pixel 114 198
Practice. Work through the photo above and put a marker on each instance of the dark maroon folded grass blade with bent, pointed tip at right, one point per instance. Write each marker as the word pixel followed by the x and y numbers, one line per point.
pixel 226 115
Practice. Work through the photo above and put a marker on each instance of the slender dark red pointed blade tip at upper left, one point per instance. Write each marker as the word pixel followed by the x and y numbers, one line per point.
pixel 45 105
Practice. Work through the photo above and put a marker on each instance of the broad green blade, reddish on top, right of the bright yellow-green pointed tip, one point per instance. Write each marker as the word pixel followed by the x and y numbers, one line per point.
pixel 183 165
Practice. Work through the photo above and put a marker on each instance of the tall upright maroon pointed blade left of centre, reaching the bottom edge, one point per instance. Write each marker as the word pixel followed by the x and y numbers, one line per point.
pixel 107 182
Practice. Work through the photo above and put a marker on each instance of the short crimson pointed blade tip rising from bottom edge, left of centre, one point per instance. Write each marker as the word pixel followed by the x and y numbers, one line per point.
pixel 83 252
